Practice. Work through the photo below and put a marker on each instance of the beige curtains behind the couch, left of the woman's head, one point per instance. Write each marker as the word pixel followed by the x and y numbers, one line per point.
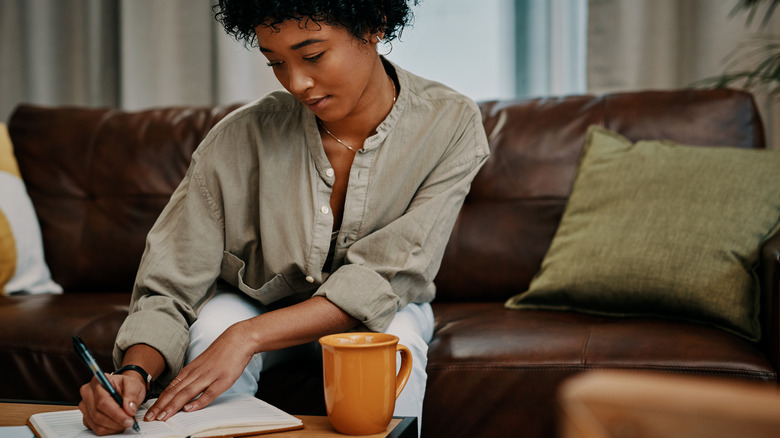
pixel 127 54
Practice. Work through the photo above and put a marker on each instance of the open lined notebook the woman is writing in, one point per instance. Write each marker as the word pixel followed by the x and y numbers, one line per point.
pixel 233 415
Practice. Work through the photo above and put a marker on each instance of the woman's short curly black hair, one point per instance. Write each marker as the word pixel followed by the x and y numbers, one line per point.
pixel 359 17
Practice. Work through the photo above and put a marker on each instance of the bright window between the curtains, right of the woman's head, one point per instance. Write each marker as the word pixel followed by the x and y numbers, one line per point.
pixel 497 49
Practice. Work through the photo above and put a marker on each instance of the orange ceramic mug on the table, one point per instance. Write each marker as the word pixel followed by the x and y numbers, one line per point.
pixel 361 385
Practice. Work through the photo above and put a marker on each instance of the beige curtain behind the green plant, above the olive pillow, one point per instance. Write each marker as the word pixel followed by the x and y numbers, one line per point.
pixel 661 44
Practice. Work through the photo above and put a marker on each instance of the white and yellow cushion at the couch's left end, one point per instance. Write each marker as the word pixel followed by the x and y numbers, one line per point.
pixel 22 265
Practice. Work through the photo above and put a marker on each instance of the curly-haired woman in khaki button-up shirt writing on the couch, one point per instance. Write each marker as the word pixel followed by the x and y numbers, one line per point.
pixel 318 210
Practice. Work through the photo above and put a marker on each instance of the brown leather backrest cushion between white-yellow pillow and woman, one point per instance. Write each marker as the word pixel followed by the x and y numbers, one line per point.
pixel 98 179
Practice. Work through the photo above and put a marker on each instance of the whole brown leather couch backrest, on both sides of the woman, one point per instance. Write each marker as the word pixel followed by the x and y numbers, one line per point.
pixel 99 178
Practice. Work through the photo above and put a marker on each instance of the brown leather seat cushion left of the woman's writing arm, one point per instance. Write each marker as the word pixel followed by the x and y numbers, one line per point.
pixel 37 360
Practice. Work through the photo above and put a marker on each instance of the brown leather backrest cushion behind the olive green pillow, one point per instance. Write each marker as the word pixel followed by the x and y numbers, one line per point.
pixel 516 202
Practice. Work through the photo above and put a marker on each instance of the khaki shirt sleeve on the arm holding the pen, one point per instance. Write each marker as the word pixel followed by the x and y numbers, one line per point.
pixel 178 269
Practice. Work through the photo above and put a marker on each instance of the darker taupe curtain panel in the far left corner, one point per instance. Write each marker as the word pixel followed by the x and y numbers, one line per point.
pixel 52 52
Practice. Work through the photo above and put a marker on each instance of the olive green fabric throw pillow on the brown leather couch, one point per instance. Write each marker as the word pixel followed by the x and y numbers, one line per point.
pixel 659 229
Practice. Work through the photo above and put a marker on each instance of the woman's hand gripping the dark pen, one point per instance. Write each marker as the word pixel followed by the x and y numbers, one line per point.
pixel 101 412
